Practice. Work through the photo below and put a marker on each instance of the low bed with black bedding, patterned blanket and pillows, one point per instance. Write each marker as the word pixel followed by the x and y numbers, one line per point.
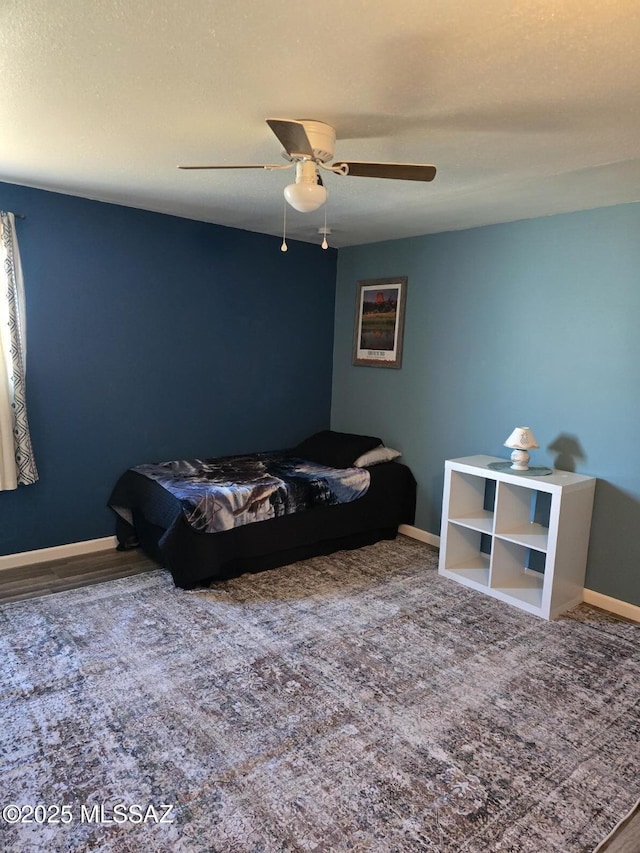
pixel 173 530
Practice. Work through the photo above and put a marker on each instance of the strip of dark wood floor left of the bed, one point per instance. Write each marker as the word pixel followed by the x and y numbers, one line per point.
pixel 58 575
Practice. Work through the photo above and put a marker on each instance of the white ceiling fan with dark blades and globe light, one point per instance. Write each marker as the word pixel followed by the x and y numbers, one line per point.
pixel 309 146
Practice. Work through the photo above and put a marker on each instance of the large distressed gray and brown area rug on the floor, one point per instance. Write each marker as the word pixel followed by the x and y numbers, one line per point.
pixel 357 702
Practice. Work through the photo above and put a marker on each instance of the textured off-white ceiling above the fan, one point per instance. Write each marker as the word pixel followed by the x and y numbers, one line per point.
pixel 527 107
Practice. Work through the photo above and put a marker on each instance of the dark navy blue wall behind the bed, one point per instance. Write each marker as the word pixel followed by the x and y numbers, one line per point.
pixel 152 337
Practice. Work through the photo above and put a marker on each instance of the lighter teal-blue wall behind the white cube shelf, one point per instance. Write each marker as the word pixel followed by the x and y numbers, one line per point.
pixel 533 322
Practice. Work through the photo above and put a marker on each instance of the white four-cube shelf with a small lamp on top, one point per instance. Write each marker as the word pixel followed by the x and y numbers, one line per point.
pixel 518 538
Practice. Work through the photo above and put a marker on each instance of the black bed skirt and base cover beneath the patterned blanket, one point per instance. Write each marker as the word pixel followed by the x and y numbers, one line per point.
pixel 195 558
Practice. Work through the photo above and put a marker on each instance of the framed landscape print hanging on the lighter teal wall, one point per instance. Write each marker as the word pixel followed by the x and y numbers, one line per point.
pixel 378 332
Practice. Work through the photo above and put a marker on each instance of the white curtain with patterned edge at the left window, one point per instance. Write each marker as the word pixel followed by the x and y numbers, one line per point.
pixel 17 466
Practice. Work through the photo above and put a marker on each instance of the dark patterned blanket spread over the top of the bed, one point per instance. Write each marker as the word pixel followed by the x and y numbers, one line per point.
pixel 223 493
